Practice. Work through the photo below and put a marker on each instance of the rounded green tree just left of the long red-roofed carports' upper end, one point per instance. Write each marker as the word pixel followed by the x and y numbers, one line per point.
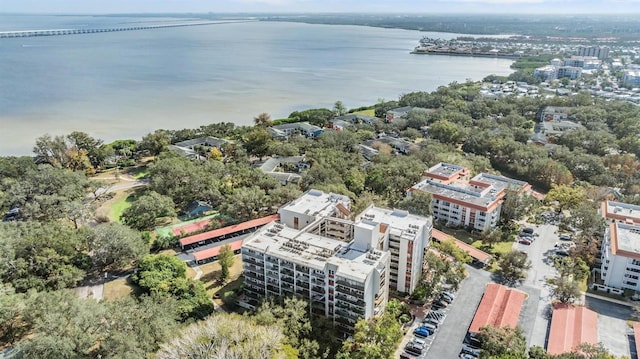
pixel 146 209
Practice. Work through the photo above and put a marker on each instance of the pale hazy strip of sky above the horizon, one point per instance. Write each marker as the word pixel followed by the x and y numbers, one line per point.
pixel 564 7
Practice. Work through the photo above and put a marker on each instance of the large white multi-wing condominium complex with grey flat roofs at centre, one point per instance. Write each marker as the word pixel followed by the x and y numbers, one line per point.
pixel 344 268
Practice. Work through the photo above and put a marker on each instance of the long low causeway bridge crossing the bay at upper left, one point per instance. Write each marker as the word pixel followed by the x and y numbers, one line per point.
pixel 56 32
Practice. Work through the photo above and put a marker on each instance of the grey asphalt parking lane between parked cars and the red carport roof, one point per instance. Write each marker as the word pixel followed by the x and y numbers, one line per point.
pixel 448 340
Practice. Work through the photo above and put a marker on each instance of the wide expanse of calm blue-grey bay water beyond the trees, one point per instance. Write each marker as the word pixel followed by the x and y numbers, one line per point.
pixel 125 84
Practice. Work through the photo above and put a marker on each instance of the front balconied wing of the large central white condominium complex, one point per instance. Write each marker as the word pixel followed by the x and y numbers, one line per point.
pixel 343 281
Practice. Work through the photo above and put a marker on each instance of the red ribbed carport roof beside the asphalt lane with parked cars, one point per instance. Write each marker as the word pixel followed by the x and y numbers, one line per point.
pixel 500 307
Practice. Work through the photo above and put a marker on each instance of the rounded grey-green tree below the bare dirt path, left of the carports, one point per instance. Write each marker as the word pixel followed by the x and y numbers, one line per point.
pixel 114 246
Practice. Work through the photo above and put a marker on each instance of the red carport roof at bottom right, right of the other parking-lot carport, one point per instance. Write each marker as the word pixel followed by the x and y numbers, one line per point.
pixel 570 327
